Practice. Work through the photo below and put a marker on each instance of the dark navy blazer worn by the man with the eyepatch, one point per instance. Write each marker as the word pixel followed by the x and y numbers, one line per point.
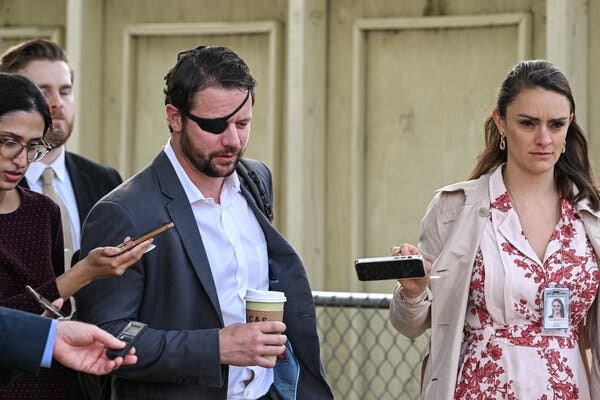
pixel 172 290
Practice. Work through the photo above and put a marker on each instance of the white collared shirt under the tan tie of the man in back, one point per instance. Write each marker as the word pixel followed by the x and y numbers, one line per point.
pixel 62 185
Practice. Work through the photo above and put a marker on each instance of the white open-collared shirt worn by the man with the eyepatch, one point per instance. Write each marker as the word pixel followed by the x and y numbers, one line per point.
pixel 237 253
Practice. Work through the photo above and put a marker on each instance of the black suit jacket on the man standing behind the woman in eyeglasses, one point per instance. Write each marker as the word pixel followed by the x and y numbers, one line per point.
pixel 90 180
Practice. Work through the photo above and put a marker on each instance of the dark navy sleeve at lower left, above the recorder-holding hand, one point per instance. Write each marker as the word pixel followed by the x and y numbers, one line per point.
pixel 23 341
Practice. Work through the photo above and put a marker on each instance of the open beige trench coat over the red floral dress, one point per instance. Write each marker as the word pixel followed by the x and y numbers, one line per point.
pixel 450 235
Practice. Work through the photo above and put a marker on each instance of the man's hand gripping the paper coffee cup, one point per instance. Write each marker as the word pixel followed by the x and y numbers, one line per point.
pixel 247 344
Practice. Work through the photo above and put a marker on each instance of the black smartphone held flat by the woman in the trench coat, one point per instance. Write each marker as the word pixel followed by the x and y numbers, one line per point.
pixel 392 267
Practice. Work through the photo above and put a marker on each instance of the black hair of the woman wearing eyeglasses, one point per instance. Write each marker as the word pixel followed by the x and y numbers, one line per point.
pixel 18 93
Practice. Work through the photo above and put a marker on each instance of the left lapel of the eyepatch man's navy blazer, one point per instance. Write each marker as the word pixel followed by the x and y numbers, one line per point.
pixel 181 214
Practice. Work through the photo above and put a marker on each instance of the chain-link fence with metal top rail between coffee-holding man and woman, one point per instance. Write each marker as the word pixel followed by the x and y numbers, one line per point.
pixel 365 357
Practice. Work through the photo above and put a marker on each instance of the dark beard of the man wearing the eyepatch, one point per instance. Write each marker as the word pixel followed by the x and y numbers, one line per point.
pixel 204 162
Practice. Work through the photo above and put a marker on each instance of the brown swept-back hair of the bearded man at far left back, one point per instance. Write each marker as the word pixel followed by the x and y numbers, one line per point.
pixel 17 57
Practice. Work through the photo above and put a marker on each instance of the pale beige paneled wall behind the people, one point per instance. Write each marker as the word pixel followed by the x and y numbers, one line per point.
pixel 363 107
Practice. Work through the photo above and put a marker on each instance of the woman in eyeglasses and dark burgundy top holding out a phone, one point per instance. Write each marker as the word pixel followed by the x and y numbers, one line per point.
pixel 31 240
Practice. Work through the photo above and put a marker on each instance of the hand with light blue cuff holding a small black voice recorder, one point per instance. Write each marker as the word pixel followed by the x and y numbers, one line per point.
pixel 82 347
